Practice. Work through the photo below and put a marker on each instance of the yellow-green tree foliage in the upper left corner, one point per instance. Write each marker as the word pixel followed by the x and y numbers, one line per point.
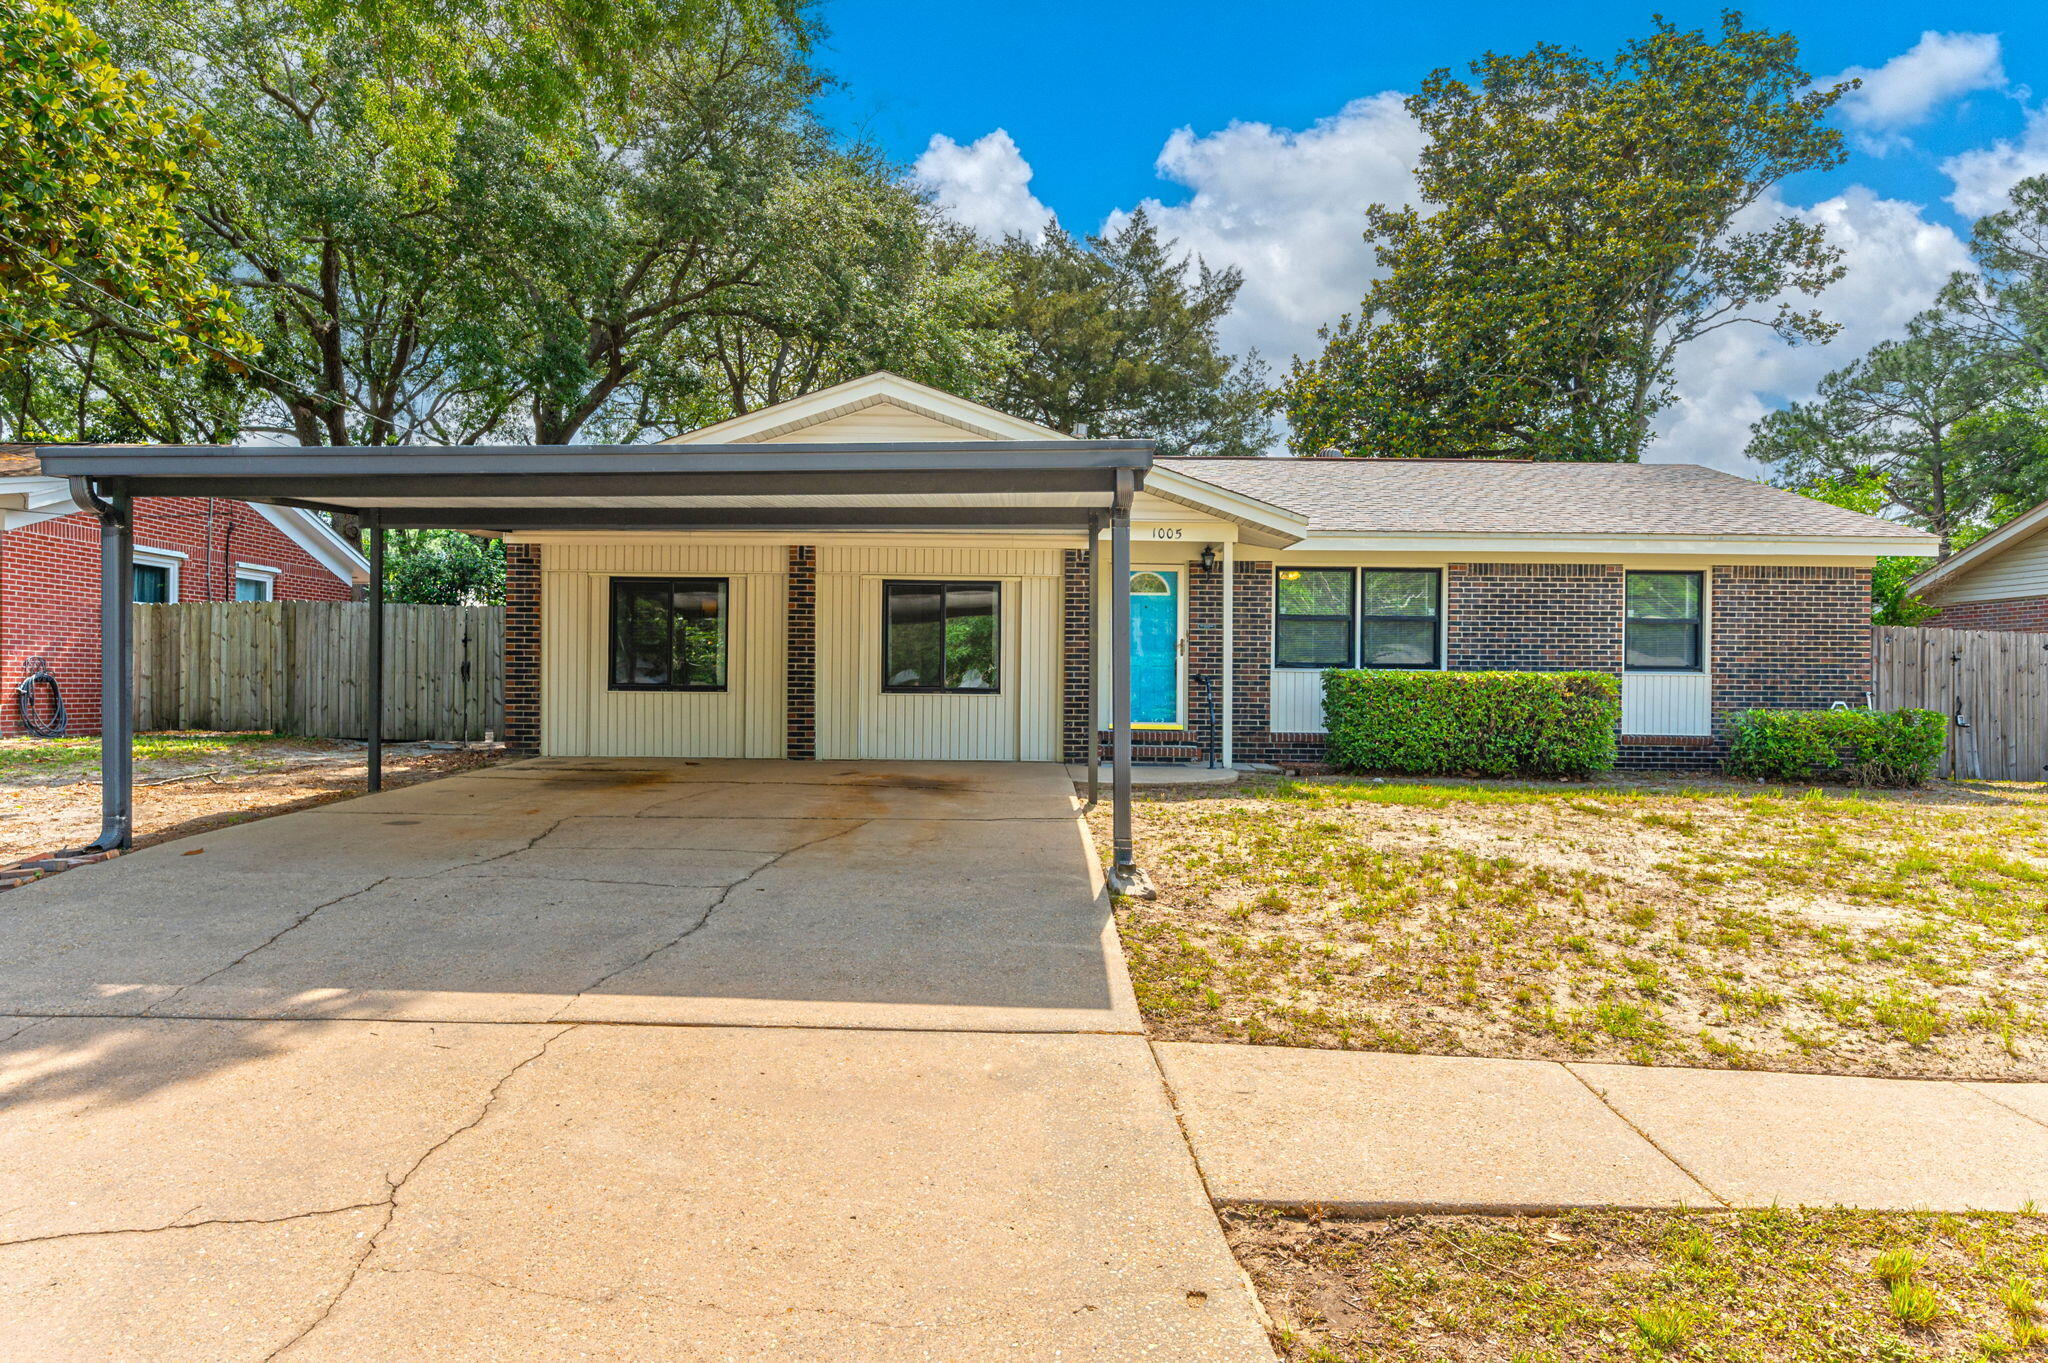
pixel 93 253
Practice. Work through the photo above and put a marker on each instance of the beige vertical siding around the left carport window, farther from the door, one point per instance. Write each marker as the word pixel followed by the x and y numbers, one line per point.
pixel 583 719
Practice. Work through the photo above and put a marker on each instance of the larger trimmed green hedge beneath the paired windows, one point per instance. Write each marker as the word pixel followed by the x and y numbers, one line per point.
pixel 1474 723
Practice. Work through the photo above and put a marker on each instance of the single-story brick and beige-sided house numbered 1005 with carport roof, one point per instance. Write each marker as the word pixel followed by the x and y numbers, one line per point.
pixel 888 572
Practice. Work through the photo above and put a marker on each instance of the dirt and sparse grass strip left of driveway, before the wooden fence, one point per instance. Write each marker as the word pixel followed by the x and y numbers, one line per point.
pixel 191 783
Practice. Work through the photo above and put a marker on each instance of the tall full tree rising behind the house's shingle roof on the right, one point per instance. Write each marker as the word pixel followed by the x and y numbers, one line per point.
pixel 1582 222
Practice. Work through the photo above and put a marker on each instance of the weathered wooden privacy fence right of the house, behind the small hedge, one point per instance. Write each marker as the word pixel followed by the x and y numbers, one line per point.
pixel 1992 687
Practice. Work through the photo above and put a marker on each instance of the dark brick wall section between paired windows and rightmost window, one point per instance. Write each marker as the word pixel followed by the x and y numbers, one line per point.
pixel 1535 617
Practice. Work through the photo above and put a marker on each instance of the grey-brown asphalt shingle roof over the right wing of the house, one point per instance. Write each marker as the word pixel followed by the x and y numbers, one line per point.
pixel 1478 496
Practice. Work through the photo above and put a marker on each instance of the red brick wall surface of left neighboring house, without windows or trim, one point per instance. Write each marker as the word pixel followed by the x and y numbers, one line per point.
pixel 50 586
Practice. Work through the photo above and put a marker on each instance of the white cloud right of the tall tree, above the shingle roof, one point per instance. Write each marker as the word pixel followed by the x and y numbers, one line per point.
pixel 1730 380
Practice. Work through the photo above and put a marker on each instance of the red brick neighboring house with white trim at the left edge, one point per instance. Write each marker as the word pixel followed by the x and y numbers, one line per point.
pixel 187 549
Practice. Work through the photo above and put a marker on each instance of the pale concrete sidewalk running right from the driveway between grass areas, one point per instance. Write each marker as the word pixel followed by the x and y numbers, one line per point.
pixel 1381 1135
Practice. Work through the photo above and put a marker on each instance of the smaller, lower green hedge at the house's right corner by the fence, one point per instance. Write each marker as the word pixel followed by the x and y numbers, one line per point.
pixel 1865 748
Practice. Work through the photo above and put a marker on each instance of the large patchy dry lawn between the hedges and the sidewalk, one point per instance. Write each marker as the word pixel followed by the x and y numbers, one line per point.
pixel 1660 924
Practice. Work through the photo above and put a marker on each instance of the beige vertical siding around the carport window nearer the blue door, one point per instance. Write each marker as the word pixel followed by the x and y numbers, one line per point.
pixel 857 719
